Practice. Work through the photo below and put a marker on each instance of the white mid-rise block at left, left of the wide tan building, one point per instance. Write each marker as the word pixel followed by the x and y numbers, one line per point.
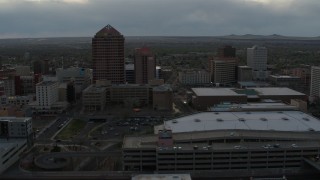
pixel 46 93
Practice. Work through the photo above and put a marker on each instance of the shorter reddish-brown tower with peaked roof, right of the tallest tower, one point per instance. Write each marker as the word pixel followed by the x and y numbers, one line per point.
pixel 144 65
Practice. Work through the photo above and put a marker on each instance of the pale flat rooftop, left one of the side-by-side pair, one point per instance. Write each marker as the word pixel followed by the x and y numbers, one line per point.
pixel 215 92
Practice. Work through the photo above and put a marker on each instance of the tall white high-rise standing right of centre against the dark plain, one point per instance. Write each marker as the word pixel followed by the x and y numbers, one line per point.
pixel 257 57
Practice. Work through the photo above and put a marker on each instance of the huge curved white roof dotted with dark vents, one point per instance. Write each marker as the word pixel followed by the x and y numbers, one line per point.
pixel 294 121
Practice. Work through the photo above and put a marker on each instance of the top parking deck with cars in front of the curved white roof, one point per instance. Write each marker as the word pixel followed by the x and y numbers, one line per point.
pixel 187 140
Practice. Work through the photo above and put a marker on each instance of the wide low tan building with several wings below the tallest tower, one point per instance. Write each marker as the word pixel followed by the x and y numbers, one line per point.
pixel 96 97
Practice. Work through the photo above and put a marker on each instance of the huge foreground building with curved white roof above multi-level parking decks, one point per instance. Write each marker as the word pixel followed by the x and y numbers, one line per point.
pixel 227 142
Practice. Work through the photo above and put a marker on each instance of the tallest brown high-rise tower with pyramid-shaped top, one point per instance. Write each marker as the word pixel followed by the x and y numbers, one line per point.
pixel 108 55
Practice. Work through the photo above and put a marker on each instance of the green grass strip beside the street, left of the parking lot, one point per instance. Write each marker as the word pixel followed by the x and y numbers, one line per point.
pixel 71 129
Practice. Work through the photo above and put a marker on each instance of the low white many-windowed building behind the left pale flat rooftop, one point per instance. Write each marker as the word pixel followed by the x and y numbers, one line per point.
pixel 194 77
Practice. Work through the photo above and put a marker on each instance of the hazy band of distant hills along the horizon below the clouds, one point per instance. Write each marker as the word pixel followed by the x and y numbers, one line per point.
pixel 158 39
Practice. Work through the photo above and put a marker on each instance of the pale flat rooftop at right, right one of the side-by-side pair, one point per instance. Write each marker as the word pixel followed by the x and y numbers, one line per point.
pixel 277 91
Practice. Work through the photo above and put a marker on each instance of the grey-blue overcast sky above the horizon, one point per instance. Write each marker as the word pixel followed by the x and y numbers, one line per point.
pixel 74 18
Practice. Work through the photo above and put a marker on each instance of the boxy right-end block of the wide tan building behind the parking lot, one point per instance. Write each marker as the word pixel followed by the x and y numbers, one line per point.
pixel 162 97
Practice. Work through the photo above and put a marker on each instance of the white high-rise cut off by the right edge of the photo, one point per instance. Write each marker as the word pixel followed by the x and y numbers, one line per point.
pixel 315 81
